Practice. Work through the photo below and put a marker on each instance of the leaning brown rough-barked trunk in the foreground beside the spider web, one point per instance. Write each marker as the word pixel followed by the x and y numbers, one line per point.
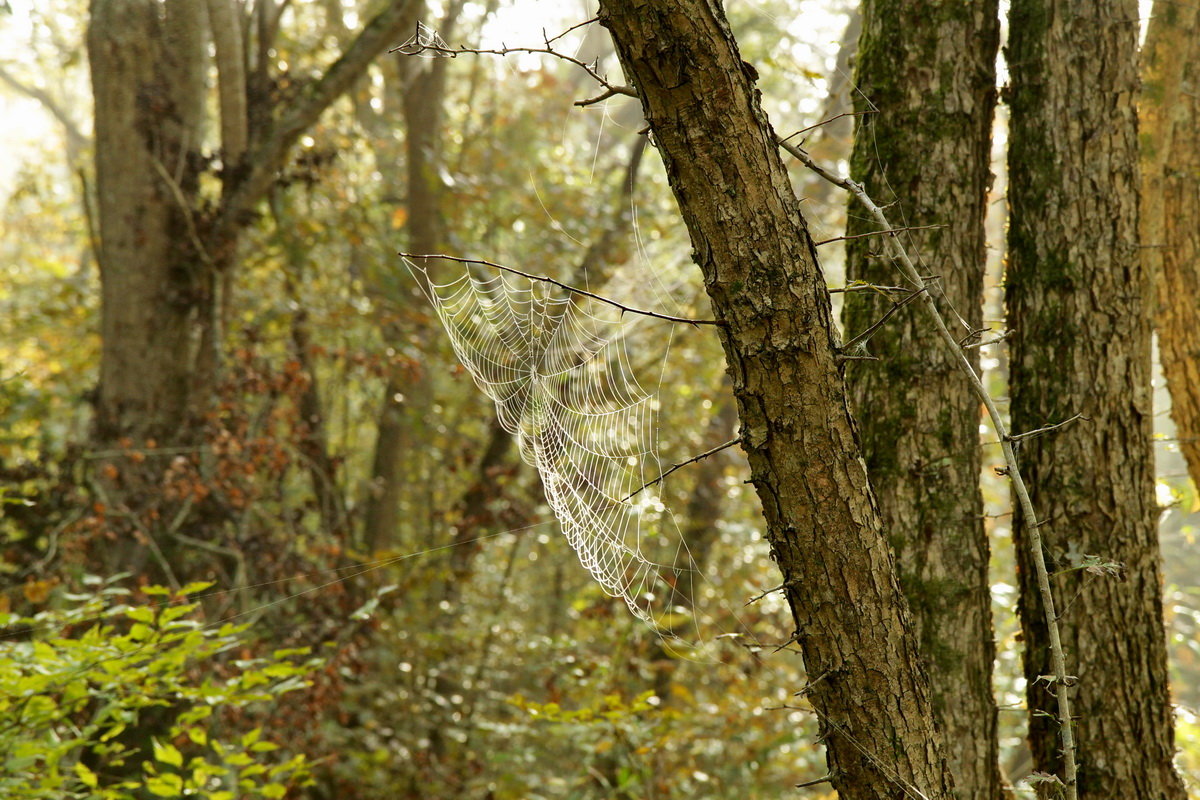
pixel 867 682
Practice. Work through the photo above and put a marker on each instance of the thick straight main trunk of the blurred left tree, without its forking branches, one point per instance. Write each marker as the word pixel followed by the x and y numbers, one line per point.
pixel 154 279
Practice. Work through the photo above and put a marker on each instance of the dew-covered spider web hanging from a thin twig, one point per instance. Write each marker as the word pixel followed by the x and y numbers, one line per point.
pixel 559 370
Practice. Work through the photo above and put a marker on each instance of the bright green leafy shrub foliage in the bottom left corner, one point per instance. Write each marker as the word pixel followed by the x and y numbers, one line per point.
pixel 80 684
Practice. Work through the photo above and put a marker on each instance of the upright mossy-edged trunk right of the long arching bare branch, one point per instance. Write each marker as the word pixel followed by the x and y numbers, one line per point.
pixel 1079 299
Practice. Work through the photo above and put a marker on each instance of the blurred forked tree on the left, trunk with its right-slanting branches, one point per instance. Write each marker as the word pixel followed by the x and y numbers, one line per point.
pixel 166 252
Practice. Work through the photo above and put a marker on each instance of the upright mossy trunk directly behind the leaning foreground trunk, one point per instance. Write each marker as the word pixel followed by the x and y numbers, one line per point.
pixel 928 69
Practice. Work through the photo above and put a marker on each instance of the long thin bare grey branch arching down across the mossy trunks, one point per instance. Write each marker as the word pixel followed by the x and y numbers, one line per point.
pixel 1058 658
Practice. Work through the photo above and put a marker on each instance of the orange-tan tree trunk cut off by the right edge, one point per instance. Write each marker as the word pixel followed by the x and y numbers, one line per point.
pixel 1171 208
